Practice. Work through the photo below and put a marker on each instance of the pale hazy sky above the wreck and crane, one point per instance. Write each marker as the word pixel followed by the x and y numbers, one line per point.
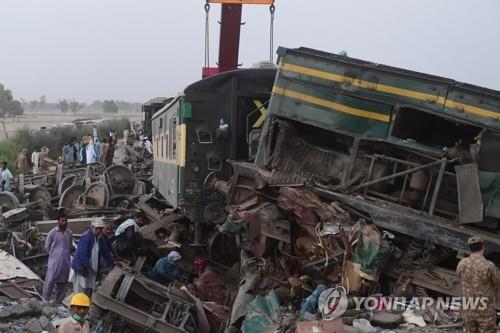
pixel 138 49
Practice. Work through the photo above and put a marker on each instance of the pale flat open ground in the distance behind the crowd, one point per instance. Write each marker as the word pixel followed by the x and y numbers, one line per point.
pixel 34 121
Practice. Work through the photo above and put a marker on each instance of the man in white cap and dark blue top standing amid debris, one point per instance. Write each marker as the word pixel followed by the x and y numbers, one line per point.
pixel 90 251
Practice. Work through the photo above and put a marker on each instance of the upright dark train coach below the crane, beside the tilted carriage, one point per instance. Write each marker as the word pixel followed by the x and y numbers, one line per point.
pixel 214 120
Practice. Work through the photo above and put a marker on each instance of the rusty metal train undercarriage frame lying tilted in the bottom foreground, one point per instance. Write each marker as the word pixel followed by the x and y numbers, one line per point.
pixel 127 300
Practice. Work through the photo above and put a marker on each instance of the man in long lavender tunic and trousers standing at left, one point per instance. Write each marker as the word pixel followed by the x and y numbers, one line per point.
pixel 58 245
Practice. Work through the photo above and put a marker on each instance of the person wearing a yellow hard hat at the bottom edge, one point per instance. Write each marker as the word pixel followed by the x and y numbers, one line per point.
pixel 77 323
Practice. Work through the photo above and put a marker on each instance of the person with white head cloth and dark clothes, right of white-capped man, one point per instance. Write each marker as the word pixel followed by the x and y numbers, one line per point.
pixel 128 237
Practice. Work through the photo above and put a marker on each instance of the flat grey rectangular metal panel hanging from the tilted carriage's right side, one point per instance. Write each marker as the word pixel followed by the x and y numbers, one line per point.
pixel 470 202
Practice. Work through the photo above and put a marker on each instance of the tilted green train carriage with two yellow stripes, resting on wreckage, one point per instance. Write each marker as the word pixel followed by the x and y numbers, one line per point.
pixel 419 154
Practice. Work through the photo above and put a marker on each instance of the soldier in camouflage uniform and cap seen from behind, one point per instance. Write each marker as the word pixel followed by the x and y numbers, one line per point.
pixel 479 279
